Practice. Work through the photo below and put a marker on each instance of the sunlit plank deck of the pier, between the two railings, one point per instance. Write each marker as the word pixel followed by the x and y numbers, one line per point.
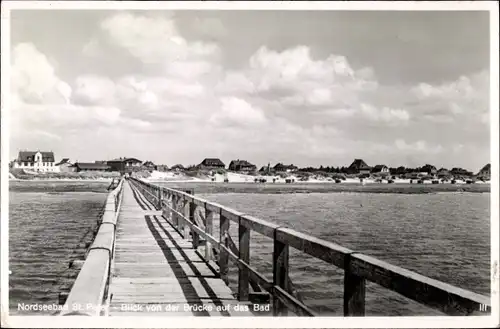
pixel 157 272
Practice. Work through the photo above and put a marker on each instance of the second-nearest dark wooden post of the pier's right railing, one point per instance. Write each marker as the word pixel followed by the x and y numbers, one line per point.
pixel 280 274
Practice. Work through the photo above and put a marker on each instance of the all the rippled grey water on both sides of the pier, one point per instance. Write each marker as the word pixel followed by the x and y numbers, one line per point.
pixel 445 236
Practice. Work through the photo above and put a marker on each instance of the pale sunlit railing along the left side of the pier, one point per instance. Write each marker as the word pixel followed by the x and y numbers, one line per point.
pixel 89 295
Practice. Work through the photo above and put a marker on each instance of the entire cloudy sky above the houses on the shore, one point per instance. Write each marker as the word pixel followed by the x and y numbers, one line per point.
pixel 302 87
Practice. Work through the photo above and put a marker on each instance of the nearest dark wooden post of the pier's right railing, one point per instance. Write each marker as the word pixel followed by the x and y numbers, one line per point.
pixel 354 291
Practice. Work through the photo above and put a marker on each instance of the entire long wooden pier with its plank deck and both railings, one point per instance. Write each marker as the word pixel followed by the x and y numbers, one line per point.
pixel 156 254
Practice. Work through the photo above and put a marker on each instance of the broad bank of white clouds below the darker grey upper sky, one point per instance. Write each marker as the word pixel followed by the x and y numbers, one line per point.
pixel 285 105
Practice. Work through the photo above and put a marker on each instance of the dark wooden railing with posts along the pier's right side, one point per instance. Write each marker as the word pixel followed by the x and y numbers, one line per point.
pixel 181 209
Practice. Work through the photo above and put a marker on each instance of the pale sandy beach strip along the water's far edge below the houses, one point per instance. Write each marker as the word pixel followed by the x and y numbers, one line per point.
pixel 242 183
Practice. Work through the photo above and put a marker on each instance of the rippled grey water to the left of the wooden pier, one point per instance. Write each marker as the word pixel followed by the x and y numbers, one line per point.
pixel 48 222
